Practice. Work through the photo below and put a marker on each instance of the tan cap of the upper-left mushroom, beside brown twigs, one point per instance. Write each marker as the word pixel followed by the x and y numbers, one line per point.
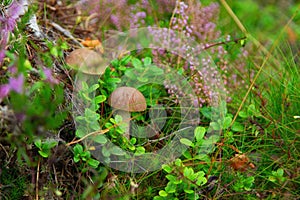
pixel 87 61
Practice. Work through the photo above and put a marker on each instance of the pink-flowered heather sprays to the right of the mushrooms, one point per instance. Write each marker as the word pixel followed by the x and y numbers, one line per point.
pixel 199 26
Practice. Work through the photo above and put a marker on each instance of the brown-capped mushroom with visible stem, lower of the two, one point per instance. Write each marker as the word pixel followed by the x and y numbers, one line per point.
pixel 126 100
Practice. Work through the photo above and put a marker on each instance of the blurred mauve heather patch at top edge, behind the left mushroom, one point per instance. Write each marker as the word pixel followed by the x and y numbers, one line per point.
pixel 123 15
